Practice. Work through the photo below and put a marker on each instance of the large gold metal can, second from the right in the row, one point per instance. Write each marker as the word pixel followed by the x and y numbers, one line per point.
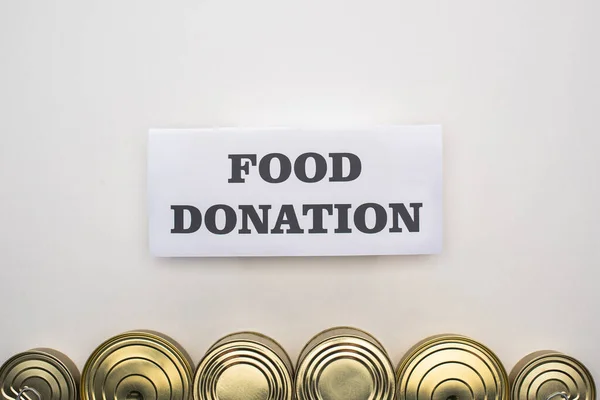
pixel 451 367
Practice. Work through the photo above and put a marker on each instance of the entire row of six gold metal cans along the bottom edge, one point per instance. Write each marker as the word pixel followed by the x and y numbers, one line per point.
pixel 338 364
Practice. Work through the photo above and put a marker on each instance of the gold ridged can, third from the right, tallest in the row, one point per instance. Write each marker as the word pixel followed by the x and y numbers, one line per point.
pixel 344 364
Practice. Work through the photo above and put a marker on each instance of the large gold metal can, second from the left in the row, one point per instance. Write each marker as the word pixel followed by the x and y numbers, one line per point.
pixel 137 365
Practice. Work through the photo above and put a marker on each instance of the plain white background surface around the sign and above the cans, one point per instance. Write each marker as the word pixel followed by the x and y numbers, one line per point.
pixel 515 84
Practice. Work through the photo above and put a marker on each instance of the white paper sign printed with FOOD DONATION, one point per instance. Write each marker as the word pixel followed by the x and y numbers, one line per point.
pixel 399 165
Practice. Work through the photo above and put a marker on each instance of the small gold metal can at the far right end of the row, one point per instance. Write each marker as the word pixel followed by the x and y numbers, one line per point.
pixel 550 375
